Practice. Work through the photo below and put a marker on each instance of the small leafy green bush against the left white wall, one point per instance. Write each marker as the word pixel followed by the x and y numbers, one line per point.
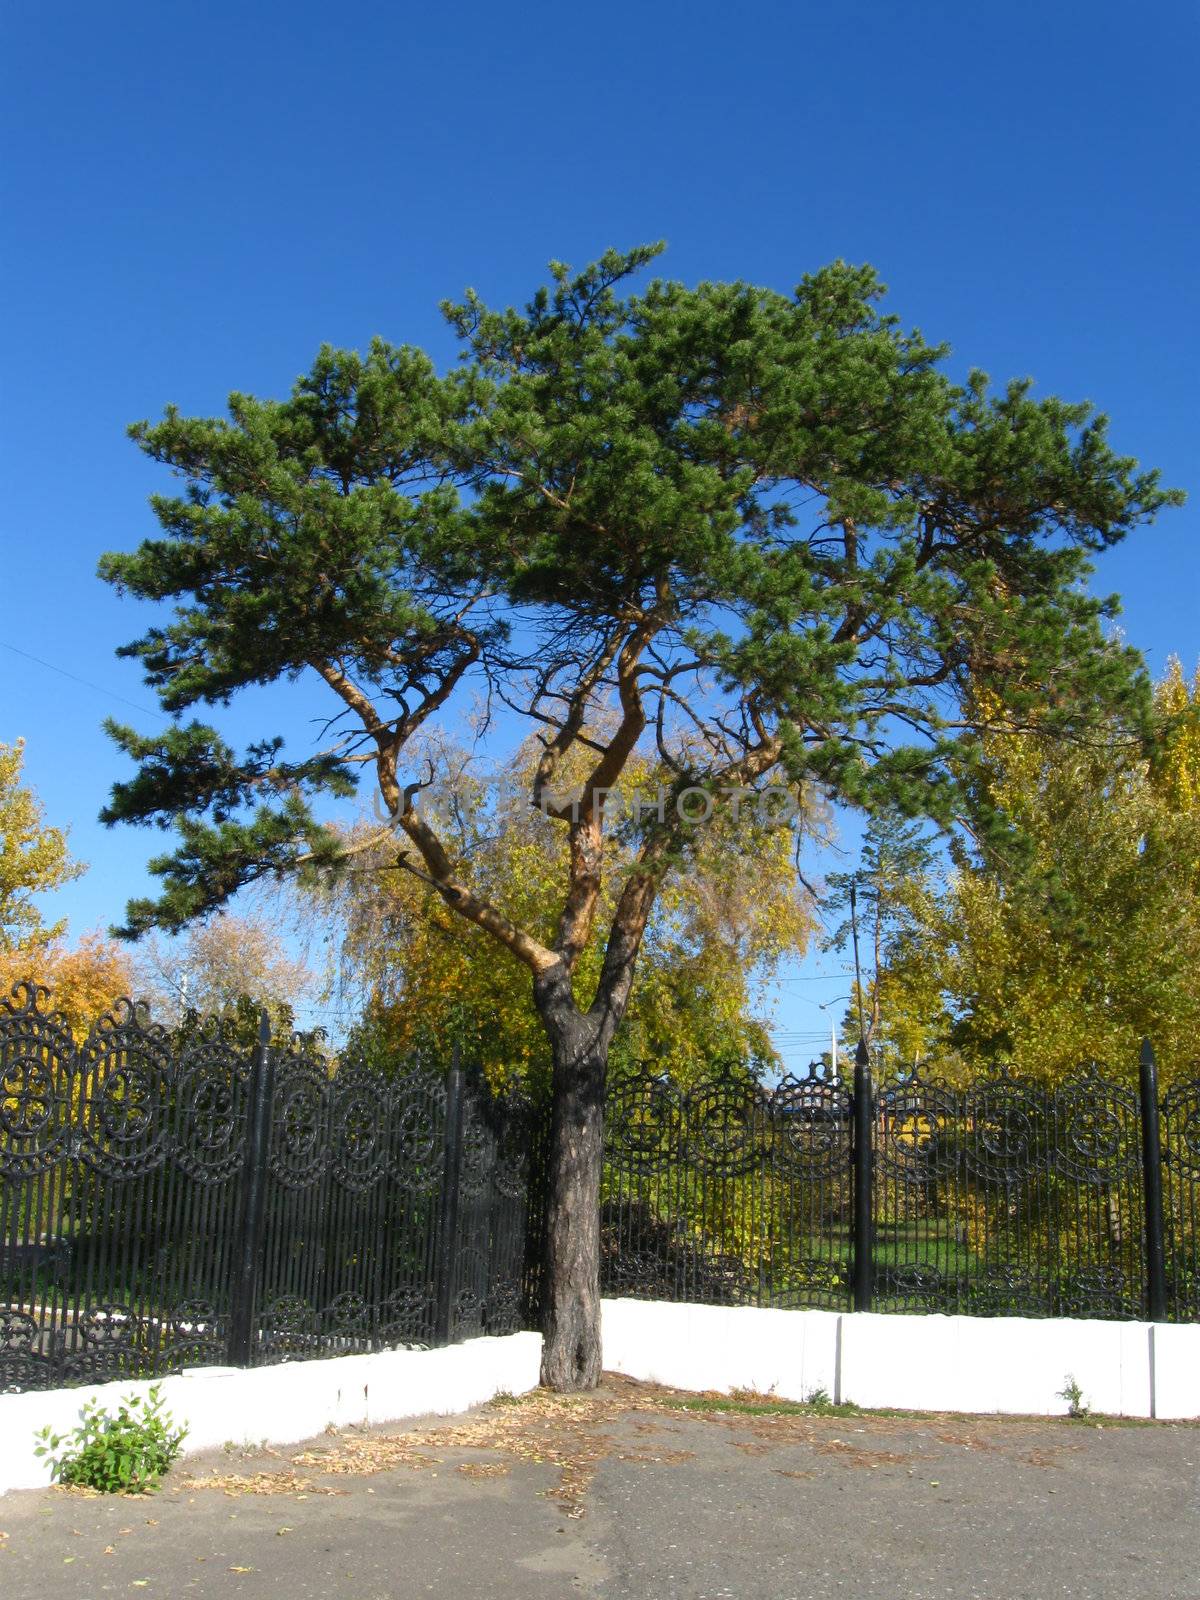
pixel 118 1455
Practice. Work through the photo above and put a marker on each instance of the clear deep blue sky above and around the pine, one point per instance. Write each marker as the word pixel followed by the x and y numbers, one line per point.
pixel 198 194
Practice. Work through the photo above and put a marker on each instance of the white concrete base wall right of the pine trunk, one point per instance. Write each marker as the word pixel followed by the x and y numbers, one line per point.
pixel 919 1364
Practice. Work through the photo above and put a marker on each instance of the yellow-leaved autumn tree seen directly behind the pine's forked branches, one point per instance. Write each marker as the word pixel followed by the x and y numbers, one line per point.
pixel 407 964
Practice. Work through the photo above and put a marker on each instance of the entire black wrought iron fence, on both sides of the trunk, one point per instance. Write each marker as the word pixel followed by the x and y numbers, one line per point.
pixel 170 1199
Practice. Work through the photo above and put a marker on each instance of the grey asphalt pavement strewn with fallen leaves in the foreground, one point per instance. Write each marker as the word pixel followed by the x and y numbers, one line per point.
pixel 630 1494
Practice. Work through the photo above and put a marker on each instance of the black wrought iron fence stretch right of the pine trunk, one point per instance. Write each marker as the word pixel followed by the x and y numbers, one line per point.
pixel 1006 1198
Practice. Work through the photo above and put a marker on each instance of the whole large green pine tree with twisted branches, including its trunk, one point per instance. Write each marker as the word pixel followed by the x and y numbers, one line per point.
pixel 764 534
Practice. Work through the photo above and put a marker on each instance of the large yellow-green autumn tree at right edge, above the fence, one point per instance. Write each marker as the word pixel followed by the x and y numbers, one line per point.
pixel 1087 938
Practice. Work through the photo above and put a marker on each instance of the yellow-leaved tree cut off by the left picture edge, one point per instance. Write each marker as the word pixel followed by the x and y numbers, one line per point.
pixel 34 858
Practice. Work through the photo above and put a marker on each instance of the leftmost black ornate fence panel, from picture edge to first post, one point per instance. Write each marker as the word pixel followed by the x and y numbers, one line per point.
pixel 121 1169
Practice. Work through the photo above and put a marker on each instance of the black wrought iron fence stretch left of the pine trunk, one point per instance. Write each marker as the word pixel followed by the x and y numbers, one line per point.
pixel 172 1199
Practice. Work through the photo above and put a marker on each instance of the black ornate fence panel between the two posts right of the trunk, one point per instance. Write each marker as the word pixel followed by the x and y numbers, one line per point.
pixel 1009 1198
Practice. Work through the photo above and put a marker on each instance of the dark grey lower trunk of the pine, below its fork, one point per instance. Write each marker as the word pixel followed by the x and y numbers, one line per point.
pixel 572 1268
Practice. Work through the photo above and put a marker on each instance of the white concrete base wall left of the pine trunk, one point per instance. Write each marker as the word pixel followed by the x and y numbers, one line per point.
pixel 284 1404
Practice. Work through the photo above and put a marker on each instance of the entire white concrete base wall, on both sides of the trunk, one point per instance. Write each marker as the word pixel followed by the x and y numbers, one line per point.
pixel 921 1364
